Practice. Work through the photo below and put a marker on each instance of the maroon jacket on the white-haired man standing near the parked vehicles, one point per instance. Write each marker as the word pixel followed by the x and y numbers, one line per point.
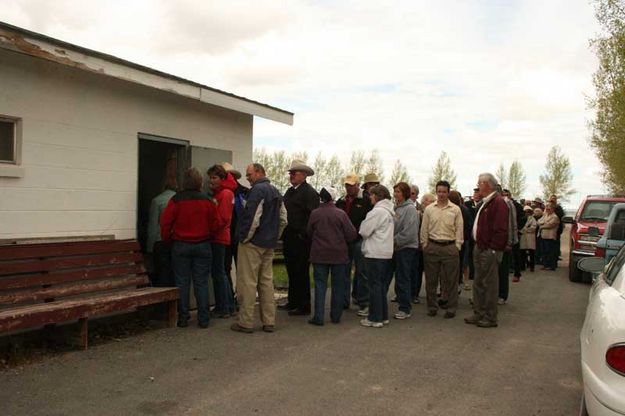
pixel 492 225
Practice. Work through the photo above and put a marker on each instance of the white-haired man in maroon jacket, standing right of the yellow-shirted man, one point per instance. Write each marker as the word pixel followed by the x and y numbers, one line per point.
pixel 490 232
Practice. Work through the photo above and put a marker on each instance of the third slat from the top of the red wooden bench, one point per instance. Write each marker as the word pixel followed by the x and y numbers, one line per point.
pixel 37 280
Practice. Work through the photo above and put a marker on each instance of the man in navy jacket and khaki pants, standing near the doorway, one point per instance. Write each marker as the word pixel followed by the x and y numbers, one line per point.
pixel 260 224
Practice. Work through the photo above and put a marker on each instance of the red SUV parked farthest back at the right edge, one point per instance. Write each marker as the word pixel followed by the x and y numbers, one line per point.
pixel 587 227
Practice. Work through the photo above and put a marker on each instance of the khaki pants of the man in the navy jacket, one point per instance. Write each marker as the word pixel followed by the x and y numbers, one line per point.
pixel 255 273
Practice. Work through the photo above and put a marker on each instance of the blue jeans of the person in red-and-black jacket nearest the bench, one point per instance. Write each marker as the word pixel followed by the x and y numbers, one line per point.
pixel 192 261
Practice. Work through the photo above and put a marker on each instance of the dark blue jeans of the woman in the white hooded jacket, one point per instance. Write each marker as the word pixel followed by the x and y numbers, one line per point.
pixel 377 271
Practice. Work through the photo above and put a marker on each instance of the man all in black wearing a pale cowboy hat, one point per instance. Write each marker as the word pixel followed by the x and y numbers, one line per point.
pixel 300 199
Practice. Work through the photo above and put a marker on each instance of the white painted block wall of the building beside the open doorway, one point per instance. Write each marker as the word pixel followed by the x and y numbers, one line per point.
pixel 79 146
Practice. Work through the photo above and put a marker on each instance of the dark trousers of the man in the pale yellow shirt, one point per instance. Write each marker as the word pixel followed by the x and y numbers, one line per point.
pixel 441 264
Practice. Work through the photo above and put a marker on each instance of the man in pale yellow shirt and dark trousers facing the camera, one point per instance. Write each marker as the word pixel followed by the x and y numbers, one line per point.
pixel 441 239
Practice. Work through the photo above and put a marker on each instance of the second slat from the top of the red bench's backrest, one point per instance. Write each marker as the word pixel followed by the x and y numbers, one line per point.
pixel 68 263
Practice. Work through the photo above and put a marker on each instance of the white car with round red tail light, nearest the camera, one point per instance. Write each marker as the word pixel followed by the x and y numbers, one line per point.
pixel 603 339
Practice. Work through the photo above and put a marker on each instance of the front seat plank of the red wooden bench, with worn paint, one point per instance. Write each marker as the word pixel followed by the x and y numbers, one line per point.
pixel 56 312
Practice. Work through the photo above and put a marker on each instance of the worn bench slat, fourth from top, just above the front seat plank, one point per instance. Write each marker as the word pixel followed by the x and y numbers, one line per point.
pixel 55 292
